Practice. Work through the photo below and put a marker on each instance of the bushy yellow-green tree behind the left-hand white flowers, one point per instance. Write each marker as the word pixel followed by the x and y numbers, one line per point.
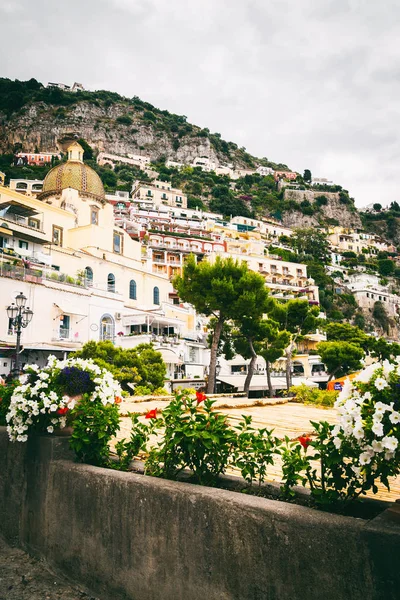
pixel 141 364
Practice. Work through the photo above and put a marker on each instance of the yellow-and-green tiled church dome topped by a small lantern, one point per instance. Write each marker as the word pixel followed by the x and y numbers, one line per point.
pixel 73 174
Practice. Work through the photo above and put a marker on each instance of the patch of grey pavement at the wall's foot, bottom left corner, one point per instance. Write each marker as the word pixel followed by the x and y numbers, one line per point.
pixel 24 578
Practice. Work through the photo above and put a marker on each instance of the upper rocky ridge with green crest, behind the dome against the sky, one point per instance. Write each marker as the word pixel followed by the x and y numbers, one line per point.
pixel 42 118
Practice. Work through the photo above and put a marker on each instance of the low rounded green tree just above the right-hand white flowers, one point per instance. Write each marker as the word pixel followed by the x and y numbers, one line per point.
pixel 340 357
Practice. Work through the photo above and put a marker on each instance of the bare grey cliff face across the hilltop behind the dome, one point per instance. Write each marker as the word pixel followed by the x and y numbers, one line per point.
pixel 49 128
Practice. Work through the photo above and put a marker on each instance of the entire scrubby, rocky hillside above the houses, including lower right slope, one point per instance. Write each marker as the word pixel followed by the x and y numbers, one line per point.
pixel 36 118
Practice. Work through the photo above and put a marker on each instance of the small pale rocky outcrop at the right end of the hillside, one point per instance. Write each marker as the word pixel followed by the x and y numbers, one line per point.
pixel 334 210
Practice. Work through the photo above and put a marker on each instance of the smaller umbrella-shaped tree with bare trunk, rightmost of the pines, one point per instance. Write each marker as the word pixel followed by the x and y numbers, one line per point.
pixel 298 318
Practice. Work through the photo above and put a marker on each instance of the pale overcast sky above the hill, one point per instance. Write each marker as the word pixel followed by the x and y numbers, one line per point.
pixel 310 83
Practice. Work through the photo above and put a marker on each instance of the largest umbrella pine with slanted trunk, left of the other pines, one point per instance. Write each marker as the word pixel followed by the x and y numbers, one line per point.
pixel 220 290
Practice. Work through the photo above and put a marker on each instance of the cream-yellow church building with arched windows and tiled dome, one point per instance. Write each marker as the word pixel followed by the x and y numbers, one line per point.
pixel 81 274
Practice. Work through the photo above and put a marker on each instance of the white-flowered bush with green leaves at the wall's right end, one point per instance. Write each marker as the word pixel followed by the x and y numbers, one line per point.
pixel 361 450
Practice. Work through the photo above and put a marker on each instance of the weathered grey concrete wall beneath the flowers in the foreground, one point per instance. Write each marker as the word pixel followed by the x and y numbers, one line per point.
pixel 127 536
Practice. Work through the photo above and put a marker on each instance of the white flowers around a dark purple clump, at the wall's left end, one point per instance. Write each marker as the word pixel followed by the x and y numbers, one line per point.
pixel 46 398
